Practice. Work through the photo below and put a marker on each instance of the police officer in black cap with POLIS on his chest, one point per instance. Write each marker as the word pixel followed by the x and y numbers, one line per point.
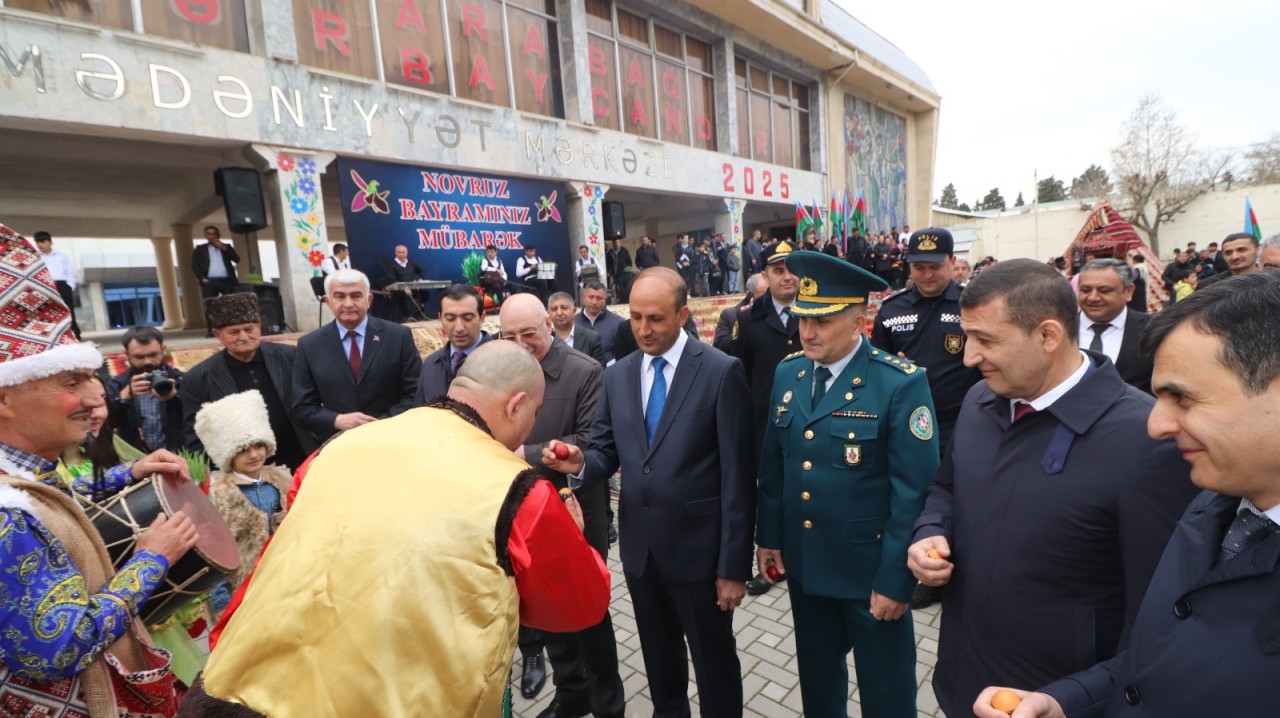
pixel 924 326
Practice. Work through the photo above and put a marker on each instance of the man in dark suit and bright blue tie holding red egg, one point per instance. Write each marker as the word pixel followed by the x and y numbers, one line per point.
pixel 674 417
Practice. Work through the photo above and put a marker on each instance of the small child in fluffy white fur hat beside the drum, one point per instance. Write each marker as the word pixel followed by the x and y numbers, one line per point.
pixel 248 492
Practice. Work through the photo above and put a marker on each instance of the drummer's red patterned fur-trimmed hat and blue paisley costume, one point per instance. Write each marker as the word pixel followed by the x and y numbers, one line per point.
pixel 70 646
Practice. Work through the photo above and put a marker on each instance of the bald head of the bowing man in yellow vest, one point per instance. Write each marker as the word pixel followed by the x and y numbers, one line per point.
pixel 505 385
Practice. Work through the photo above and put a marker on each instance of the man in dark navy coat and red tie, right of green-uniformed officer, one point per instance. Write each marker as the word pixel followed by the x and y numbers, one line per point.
pixel 1059 507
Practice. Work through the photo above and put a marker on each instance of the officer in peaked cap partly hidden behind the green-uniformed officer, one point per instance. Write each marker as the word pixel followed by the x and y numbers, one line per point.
pixel 764 335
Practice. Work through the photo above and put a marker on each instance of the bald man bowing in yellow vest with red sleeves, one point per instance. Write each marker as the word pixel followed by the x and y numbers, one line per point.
pixel 417 548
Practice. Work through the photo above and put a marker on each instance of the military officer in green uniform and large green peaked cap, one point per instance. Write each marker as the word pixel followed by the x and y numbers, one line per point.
pixel 849 455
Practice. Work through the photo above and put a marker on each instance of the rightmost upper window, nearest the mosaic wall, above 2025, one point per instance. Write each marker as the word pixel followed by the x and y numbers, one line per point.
pixel 772 116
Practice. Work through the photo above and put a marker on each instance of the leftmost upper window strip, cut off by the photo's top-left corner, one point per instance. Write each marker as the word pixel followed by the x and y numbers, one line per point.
pixel 217 24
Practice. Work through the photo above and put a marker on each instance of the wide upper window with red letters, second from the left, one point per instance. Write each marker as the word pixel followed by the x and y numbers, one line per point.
pixel 501 53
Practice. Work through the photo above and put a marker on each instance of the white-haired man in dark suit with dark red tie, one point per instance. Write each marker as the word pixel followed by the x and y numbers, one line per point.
pixel 356 369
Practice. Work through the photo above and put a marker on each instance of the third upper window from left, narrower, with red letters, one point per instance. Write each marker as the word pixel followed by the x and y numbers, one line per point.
pixel 648 79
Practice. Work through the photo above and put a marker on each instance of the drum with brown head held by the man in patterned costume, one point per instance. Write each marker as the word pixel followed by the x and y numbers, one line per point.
pixel 124 516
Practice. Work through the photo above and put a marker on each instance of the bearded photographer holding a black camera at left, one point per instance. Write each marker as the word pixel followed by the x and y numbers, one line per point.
pixel 143 397
